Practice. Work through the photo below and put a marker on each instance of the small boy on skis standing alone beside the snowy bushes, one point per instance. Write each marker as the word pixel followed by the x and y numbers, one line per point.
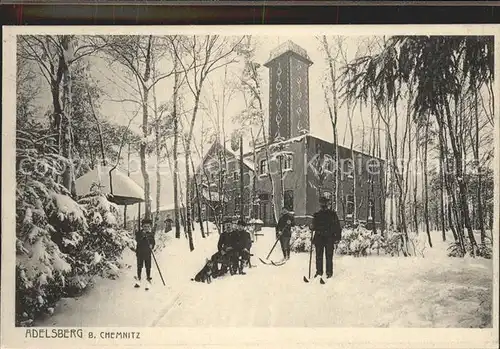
pixel 145 244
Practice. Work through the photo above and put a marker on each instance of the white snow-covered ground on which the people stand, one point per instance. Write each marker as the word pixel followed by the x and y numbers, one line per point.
pixel 373 291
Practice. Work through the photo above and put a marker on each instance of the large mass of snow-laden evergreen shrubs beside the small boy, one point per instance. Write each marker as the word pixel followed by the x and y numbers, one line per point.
pixel 61 244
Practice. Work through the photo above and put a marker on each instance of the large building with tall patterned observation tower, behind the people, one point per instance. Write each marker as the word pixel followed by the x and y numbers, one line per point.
pixel 295 167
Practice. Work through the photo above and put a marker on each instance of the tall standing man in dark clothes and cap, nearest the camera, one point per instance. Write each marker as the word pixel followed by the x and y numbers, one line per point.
pixel 327 233
